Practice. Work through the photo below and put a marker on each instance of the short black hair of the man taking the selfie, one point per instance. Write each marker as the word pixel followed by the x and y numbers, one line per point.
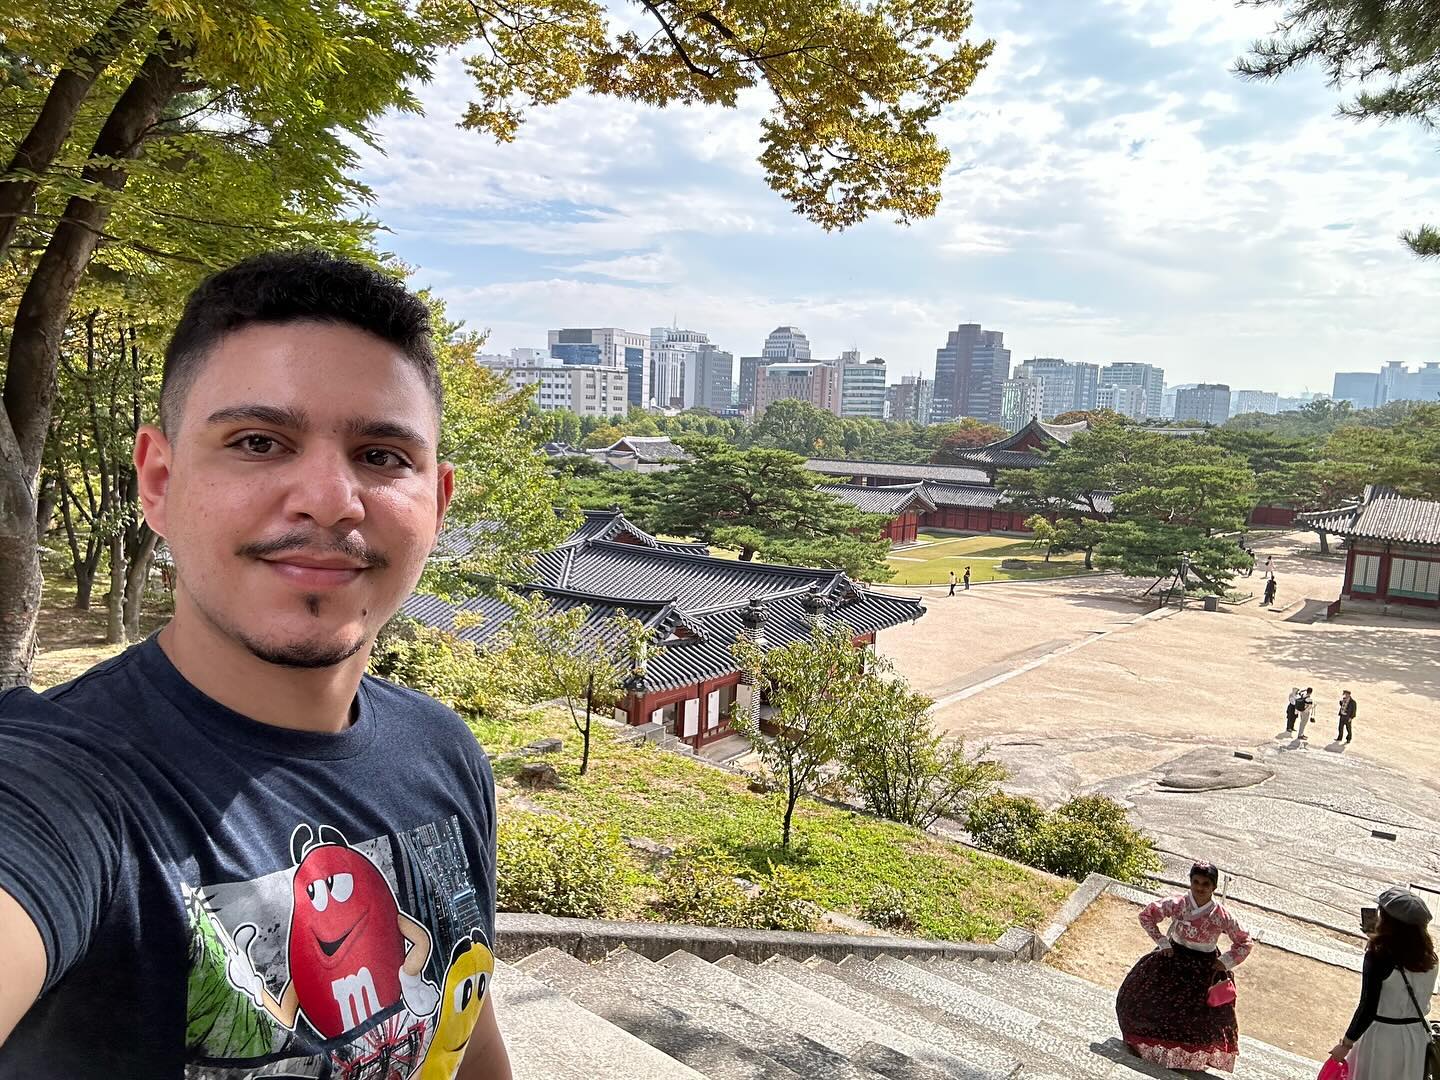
pixel 289 287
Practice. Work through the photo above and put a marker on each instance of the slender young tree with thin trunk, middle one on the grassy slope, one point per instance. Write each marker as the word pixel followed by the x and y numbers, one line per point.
pixel 817 689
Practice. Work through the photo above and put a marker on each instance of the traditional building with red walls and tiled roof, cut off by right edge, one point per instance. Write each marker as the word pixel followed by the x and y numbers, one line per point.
pixel 1393 552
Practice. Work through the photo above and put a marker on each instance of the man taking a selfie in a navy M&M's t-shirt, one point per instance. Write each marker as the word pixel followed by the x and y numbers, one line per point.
pixel 228 852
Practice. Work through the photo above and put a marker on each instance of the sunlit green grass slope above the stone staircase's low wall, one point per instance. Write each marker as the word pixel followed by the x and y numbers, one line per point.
pixel 954 894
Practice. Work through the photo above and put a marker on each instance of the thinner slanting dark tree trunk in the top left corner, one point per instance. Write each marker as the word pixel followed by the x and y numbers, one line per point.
pixel 41 145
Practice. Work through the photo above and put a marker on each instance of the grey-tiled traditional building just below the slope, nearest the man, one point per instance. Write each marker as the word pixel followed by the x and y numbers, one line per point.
pixel 695 608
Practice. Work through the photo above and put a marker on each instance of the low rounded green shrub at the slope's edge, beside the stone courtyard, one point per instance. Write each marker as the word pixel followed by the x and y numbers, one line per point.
pixel 1088 834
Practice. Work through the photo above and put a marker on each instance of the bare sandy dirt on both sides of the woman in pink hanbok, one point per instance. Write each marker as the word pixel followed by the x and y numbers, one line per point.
pixel 1285 1000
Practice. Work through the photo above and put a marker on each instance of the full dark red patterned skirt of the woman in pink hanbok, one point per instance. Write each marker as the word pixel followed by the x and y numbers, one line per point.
pixel 1166 1017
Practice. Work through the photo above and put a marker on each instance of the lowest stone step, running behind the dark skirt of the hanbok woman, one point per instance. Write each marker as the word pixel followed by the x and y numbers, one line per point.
pixel 1089 1010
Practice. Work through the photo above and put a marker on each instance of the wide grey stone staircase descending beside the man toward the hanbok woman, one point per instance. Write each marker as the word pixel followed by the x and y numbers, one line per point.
pixel 817 1020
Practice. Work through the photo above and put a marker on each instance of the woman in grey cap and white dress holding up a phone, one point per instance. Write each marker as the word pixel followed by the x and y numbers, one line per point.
pixel 1389 1038
